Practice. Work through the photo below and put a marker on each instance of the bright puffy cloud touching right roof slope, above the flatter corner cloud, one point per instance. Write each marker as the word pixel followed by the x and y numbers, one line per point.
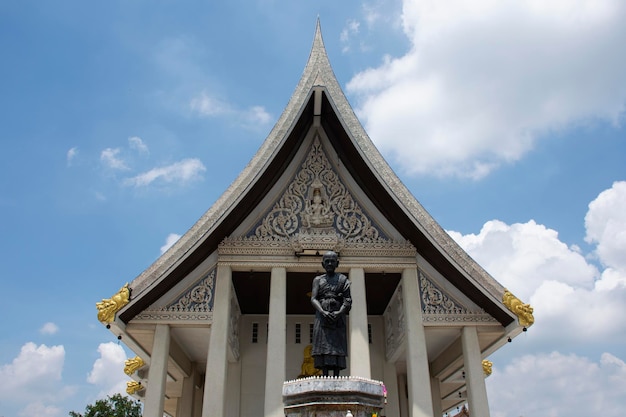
pixel 573 301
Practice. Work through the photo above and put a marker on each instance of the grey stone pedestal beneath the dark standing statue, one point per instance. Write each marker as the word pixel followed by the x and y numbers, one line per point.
pixel 333 397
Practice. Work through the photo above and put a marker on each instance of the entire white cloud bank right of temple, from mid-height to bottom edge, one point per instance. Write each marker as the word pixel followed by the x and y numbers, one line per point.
pixel 578 307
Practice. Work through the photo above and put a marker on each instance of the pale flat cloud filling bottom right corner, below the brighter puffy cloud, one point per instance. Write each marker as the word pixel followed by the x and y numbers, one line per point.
pixel 530 386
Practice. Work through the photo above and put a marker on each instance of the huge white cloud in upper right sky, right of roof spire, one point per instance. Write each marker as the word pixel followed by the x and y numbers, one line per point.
pixel 484 80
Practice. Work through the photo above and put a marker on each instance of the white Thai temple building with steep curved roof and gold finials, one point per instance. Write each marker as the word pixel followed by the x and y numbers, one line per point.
pixel 223 318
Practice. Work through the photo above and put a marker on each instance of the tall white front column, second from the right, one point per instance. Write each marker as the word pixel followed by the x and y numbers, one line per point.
pixel 418 375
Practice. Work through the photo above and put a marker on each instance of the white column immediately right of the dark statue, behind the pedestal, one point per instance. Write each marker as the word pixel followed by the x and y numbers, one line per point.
pixel 359 341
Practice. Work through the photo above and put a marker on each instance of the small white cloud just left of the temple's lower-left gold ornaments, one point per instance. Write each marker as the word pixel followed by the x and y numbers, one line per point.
pixel 108 370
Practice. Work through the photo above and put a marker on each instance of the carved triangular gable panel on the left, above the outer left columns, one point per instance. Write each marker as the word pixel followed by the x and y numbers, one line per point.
pixel 194 304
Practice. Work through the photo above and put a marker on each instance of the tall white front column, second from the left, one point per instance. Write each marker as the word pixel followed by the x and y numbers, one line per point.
pixel 214 398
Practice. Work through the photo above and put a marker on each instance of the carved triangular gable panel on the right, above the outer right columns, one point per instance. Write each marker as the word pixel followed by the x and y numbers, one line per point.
pixel 439 307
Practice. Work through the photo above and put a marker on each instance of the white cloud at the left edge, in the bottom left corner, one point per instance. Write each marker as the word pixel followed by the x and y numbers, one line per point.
pixel 34 376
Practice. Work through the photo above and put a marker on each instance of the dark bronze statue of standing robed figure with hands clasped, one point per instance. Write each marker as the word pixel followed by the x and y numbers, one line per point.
pixel 332 301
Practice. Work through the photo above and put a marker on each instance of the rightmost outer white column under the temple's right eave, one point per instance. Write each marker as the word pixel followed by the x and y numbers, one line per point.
pixel 474 378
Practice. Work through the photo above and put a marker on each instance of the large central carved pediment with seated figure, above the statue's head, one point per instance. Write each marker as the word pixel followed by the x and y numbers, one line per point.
pixel 315 213
